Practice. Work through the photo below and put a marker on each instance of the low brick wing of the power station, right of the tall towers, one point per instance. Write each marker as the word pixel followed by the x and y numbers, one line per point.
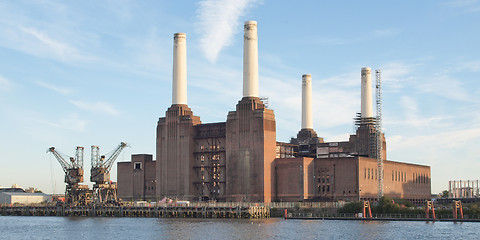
pixel 348 179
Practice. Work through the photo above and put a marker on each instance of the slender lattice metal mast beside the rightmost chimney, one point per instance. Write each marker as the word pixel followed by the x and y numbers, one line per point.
pixel 378 126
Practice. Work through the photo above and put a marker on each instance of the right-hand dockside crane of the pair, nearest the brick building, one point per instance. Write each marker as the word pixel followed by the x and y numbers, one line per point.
pixel 104 190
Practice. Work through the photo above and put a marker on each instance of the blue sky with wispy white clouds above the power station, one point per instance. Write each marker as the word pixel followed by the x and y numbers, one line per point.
pixel 82 73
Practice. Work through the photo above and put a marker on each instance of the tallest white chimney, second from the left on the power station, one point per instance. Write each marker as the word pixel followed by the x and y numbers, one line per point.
pixel 250 60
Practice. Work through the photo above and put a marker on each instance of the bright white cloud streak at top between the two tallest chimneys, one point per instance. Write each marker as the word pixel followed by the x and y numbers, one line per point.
pixel 218 22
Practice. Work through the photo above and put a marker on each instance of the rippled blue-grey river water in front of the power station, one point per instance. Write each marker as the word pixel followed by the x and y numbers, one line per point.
pixel 275 228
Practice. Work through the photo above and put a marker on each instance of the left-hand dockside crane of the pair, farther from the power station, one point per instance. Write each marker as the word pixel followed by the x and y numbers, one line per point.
pixel 75 194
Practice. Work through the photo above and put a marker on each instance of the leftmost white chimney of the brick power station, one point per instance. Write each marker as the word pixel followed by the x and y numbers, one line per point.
pixel 179 88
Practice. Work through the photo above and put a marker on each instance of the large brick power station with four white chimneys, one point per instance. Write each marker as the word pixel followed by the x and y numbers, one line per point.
pixel 240 159
